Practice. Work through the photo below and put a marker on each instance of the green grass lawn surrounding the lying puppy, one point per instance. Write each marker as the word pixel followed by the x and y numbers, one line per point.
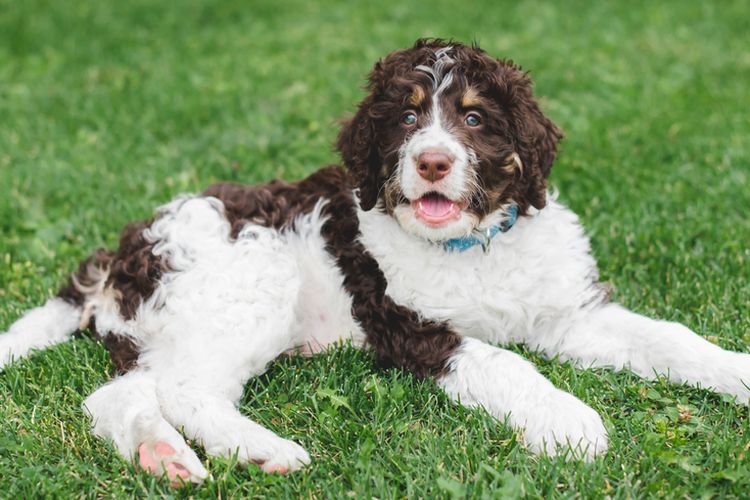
pixel 108 109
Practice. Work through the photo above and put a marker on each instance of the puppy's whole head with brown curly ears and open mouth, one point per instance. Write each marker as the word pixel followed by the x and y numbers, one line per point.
pixel 447 139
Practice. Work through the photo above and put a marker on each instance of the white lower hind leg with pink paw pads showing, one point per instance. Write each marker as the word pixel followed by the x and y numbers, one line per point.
pixel 127 412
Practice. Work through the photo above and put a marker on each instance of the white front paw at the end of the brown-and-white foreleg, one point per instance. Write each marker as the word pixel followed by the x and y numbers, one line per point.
pixel 567 427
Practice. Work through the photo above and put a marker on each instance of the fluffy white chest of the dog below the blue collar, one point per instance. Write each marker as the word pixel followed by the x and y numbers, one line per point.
pixel 532 274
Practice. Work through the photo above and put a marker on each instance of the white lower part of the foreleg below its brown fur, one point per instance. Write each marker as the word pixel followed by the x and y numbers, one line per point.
pixel 509 387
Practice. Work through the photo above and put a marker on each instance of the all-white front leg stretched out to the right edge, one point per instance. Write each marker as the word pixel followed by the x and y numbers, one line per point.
pixel 612 336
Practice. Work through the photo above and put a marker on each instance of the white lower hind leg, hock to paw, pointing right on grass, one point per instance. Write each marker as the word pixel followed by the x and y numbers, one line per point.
pixel 212 419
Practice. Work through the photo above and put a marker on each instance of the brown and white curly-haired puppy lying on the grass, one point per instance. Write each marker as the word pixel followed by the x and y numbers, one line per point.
pixel 437 242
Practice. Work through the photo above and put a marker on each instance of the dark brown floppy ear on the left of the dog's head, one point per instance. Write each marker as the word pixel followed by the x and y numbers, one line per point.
pixel 359 152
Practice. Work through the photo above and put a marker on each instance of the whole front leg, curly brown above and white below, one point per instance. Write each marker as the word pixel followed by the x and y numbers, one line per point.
pixel 474 373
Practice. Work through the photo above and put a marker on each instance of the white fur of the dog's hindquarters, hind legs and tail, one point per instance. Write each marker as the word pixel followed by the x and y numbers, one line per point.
pixel 224 312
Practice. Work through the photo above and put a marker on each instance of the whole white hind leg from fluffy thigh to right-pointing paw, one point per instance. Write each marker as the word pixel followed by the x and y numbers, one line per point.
pixel 224 321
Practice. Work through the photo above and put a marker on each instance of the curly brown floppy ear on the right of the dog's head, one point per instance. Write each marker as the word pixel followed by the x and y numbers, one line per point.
pixel 534 135
